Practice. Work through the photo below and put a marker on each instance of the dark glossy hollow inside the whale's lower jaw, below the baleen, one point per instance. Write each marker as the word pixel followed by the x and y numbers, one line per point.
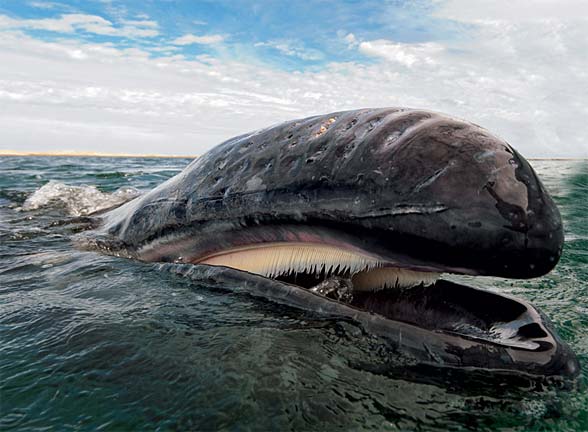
pixel 459 310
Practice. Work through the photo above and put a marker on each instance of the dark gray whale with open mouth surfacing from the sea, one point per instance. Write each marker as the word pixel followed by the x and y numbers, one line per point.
pixel 386 198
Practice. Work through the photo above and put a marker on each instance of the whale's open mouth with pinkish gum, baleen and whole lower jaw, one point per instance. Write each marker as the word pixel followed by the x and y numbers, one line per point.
pixel 324 269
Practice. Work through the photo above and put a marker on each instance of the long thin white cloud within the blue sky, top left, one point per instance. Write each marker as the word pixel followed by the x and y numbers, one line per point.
pixel 71 23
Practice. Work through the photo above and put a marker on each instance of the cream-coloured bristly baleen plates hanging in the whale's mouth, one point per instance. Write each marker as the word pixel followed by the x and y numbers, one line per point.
pixel 286 260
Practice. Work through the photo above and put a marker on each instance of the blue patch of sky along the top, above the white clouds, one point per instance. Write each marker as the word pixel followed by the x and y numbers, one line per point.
pixel 288 35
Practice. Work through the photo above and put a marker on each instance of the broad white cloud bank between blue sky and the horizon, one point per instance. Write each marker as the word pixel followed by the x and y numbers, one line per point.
pixel 524 80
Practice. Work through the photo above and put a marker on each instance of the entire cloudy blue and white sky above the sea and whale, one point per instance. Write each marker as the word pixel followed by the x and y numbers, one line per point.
pixel 178 77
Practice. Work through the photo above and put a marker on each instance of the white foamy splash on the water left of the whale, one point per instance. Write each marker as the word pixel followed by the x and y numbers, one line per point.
pixel 77 200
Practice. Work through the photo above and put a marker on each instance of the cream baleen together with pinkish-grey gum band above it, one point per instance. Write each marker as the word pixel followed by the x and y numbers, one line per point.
pixel 304 255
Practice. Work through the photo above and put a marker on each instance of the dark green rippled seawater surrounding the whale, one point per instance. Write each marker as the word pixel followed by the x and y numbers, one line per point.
pixel 94 342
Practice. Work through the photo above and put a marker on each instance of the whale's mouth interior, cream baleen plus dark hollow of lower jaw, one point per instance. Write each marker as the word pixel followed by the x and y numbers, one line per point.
pixel 410 295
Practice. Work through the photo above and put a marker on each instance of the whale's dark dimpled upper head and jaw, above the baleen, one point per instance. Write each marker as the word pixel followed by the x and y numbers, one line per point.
pixel 412 186
